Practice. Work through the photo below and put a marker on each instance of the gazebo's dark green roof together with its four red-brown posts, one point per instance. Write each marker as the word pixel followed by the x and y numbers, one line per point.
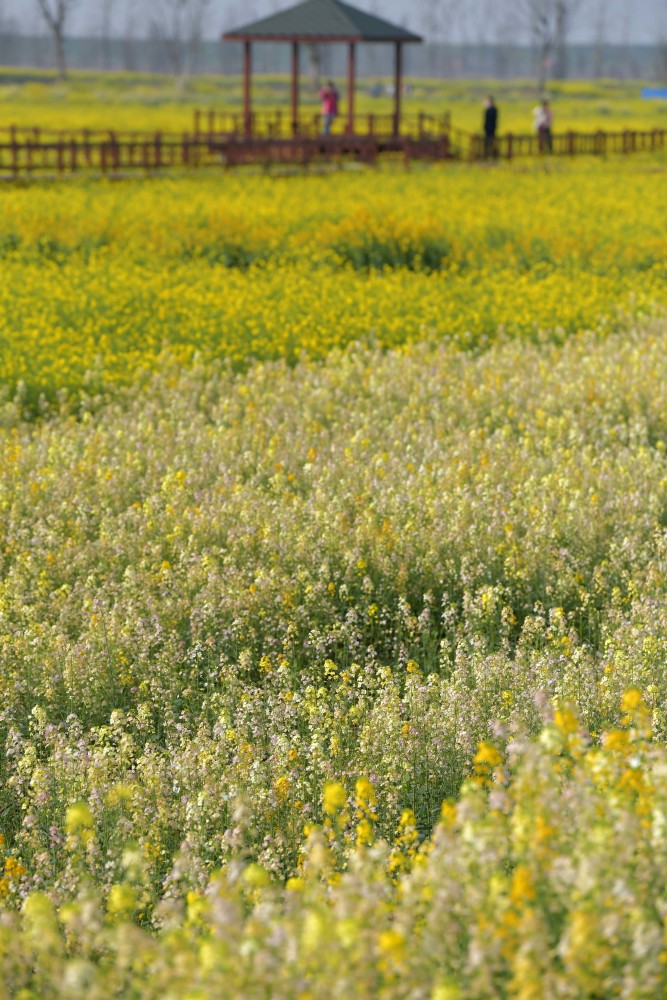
pixel 321 21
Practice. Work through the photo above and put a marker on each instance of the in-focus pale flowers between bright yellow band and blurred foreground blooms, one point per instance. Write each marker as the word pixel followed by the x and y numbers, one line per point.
pixel 223 587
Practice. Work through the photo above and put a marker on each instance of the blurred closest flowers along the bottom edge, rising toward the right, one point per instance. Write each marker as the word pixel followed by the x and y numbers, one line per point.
pixel 549 883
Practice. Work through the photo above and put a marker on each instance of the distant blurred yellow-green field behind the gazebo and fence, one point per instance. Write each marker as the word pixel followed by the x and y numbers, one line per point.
pixel 124 101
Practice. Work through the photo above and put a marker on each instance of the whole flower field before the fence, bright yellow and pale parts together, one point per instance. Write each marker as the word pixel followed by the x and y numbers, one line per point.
pixel 333 565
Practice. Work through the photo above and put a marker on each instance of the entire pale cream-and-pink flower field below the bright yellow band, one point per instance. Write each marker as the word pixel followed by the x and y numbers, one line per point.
pixel 256 628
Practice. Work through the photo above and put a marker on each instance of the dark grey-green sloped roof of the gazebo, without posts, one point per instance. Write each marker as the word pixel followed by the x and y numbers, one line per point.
pixel 321 21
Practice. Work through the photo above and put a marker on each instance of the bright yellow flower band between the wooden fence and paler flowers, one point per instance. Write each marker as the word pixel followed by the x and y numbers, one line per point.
pixel 100 279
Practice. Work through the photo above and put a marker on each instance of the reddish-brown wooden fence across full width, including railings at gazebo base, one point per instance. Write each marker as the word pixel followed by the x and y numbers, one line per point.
pixel 34 152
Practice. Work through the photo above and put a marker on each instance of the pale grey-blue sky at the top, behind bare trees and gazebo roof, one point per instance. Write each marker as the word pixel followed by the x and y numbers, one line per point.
pixel 474 21
